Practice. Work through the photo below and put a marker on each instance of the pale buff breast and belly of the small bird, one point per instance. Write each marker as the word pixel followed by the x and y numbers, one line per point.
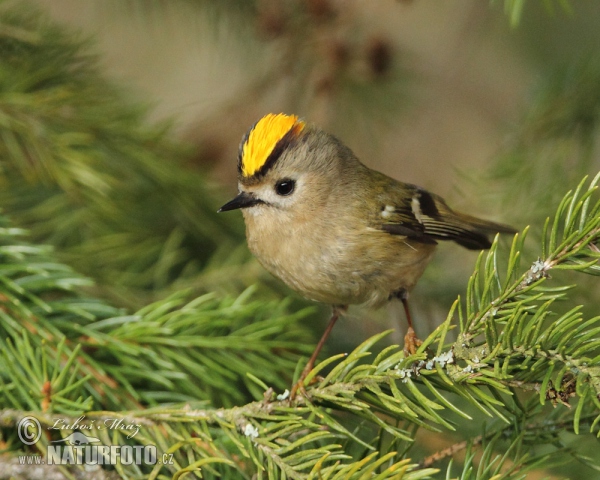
pixel 334 262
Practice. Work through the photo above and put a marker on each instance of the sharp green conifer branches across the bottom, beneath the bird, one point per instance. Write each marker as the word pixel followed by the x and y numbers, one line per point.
pixel 512 358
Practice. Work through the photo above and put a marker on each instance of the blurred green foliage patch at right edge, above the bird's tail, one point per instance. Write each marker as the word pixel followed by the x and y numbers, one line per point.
pixel 556 139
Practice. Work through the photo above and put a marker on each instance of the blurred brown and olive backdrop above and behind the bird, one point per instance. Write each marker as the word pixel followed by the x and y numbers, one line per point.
pixel 446 95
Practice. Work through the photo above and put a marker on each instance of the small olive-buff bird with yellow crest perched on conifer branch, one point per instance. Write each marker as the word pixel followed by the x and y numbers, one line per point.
pixel 335 230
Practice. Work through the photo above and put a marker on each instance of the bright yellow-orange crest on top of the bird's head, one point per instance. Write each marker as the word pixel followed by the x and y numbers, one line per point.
pixel 263 138
